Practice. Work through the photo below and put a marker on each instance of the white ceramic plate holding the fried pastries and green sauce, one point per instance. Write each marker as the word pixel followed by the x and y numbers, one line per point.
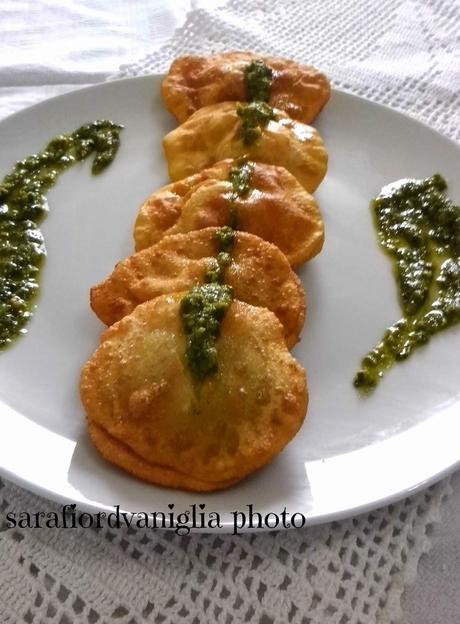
pixel 352 454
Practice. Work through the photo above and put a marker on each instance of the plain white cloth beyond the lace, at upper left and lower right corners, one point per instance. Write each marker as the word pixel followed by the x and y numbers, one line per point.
pixel 50 47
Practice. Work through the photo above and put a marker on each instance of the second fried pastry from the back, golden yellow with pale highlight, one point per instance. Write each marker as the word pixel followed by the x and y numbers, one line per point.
pixel 214 133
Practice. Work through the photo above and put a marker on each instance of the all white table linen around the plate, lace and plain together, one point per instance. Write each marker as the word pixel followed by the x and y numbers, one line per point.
pixel 405 53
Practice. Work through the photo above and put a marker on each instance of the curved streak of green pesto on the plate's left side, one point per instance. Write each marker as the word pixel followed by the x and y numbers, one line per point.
pixel 23 205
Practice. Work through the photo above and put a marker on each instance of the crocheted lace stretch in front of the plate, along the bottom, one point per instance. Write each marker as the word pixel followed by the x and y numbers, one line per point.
pixel 348 572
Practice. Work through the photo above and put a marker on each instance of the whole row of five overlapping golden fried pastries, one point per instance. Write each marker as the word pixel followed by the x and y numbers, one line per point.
pixel 145 411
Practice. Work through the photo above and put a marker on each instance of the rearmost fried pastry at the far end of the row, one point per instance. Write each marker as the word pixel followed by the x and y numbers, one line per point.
pixel 195 81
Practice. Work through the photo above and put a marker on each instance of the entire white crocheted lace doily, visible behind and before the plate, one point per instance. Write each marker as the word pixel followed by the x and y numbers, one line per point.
pixel 402 53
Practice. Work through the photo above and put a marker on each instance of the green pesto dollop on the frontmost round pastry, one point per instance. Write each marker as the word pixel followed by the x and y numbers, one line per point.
pixel 202 310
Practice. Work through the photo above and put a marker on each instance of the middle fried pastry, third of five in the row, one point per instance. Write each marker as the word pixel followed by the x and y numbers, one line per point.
pixel 276 208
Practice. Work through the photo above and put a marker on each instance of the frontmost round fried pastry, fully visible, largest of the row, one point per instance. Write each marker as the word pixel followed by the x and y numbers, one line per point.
pixel 147 415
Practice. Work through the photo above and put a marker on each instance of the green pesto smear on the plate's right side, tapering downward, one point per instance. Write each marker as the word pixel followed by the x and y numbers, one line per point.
pixel 419 228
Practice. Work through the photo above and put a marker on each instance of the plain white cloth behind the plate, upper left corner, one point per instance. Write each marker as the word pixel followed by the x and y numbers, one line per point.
pixel 48 47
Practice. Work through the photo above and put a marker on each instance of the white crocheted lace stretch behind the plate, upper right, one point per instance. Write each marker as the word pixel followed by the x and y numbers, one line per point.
pixel 404 53
